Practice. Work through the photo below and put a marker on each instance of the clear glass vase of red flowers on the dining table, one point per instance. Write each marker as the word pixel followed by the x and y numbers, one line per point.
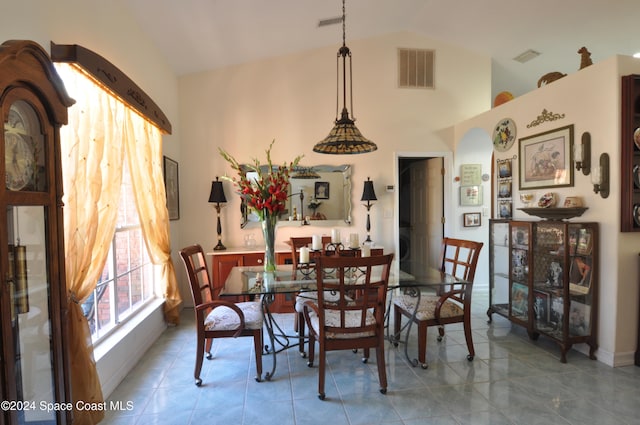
pixel 266 195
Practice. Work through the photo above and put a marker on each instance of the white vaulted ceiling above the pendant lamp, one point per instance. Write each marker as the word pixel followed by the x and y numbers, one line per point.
pixel 197 35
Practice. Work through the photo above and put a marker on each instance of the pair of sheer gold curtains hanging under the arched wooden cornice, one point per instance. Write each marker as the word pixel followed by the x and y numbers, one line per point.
pixel 93 148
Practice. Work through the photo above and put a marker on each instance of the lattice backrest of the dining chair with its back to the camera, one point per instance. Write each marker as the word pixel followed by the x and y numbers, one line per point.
pixel 348 288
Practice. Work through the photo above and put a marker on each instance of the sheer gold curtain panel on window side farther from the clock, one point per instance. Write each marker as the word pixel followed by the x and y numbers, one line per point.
pixel 143 143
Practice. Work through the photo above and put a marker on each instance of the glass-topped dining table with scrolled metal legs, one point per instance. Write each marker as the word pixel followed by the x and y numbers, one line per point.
pixel 253 282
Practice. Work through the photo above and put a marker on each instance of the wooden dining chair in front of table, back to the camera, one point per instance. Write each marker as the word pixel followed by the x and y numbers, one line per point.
pixel 354 317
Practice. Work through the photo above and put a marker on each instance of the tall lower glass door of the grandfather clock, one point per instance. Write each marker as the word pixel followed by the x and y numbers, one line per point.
pixel 30 314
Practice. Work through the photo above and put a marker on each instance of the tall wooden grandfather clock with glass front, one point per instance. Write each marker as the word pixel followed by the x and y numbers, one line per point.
pixel 33 300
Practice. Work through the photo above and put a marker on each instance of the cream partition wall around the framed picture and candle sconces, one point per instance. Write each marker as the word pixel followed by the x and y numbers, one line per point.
pixel 590 100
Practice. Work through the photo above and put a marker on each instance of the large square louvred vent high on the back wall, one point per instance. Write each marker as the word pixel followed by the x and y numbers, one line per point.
pixel 416 68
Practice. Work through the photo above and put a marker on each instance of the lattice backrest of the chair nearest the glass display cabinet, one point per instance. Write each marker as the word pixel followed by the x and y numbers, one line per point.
pixel 459 257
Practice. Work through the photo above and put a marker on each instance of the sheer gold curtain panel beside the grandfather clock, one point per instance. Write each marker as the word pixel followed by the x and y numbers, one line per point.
pixel 92 178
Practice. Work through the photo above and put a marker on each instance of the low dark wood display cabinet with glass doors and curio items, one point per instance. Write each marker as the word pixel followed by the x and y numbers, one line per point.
pixel 544 276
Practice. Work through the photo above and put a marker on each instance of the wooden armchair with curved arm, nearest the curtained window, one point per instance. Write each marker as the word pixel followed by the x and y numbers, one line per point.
pixel 218 318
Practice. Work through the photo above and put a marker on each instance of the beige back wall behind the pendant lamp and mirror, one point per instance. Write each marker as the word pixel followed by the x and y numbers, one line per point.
pixel 292 99
